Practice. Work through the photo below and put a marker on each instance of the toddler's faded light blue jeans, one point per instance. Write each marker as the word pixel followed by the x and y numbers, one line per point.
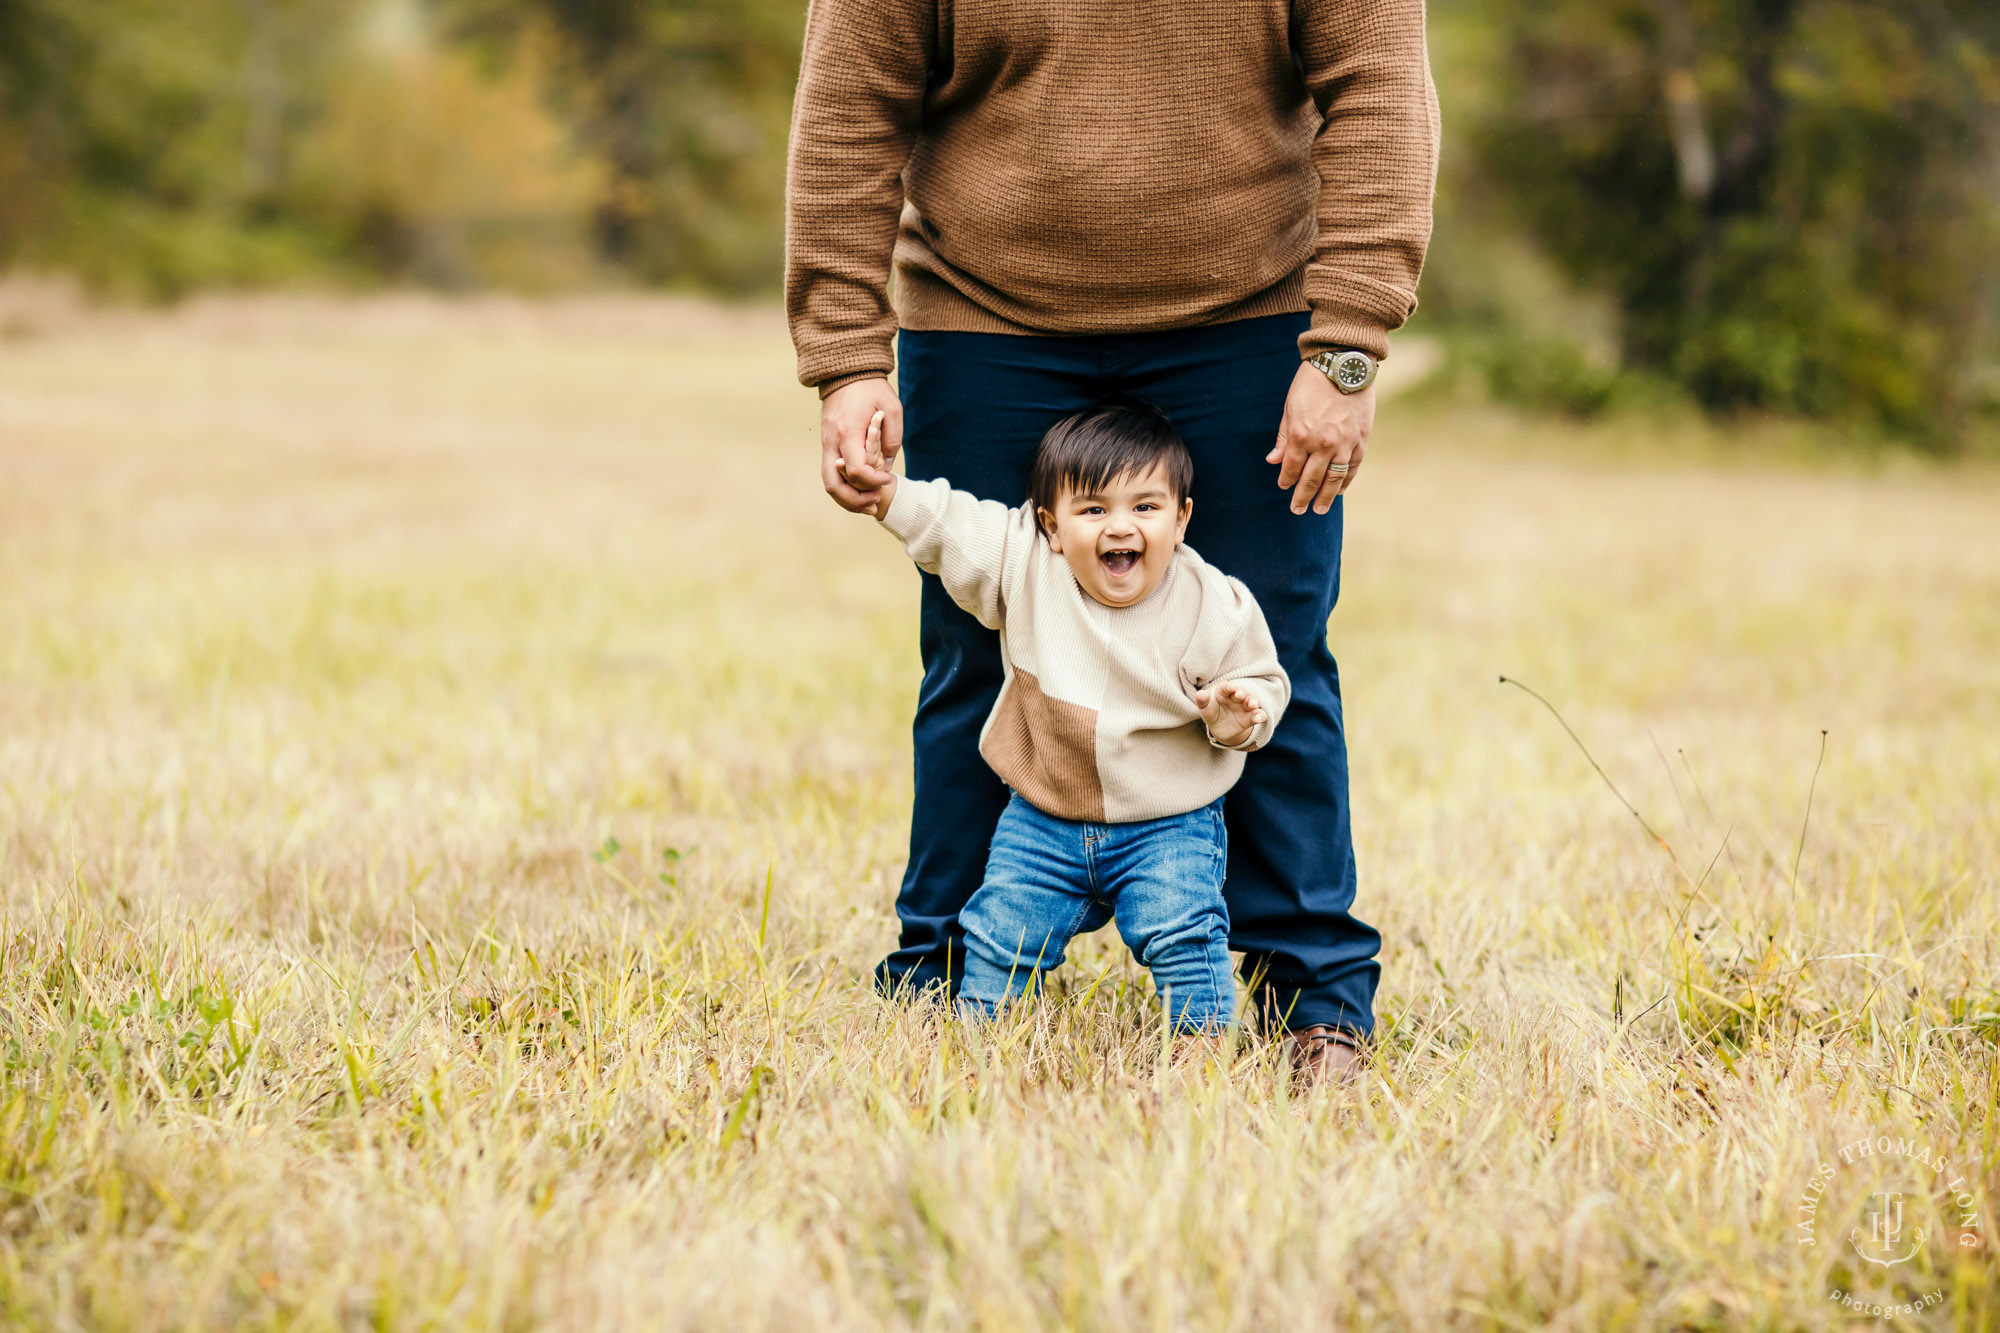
pixel 1161 880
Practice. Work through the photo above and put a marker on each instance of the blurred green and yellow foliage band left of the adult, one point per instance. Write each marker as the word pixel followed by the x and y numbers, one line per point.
pixel 159 147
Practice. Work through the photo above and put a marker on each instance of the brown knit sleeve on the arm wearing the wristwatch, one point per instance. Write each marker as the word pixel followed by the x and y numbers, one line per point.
pixel 1377 155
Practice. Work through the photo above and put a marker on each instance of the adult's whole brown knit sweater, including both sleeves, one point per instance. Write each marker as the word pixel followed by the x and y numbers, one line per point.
pixel 1079 167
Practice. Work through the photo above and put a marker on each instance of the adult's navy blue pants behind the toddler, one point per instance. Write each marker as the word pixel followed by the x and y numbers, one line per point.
pixel 975 407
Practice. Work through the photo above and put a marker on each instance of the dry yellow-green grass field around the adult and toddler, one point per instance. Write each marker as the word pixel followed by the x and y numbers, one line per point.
pixel 453 770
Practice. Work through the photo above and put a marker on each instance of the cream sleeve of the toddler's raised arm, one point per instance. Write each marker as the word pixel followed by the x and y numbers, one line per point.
pixel 975 547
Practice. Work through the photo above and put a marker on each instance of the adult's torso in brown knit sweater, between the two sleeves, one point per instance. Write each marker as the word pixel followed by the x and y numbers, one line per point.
pixel 1109 165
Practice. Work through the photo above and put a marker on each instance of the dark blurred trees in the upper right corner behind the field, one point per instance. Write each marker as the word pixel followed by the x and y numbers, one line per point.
pixel 1793 203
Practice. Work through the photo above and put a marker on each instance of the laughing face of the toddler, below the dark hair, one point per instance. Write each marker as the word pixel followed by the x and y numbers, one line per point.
pixel 1121 537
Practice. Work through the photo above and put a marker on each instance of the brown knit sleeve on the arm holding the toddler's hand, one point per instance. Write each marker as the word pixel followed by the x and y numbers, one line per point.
pixel 861 95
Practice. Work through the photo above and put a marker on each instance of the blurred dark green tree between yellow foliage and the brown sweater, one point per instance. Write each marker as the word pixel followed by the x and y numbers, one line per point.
pixel 687 105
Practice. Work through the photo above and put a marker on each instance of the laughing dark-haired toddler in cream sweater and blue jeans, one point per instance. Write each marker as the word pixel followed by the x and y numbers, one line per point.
pixel 1137 680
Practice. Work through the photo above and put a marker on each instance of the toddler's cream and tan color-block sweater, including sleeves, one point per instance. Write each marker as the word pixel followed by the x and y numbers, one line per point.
pixel 1097 716
